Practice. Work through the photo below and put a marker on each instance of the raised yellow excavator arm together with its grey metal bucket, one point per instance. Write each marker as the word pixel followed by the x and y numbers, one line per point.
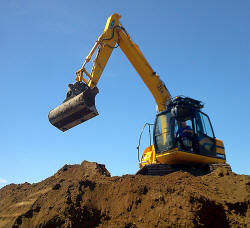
pixel 79 105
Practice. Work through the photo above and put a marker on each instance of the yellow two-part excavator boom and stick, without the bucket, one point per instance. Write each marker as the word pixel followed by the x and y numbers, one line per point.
pixel 115 34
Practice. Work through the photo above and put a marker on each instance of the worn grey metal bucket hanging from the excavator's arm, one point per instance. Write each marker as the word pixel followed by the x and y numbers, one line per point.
pixel 79 106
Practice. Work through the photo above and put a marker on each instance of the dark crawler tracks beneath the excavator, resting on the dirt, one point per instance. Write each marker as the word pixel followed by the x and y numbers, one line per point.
pixel 165 169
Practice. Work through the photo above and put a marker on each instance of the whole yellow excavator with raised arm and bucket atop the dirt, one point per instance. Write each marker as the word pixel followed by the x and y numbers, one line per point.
pixel 183 137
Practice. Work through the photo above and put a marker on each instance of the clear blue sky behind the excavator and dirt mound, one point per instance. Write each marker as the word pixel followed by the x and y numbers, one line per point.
pixel 199 48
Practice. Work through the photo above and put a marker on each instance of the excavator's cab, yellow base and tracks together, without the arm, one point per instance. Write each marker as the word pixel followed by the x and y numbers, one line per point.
pixel 172 151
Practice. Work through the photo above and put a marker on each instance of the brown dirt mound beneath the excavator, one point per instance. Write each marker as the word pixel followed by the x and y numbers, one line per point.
pixel 86 196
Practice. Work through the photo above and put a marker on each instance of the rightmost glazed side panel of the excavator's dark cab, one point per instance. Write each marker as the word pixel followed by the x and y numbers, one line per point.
pixel 204 134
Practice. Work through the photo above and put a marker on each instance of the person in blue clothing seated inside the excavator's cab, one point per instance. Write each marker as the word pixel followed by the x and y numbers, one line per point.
pixel 184 135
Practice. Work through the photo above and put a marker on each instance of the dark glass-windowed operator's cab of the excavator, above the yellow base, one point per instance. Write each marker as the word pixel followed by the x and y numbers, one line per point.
pixel 201 138
